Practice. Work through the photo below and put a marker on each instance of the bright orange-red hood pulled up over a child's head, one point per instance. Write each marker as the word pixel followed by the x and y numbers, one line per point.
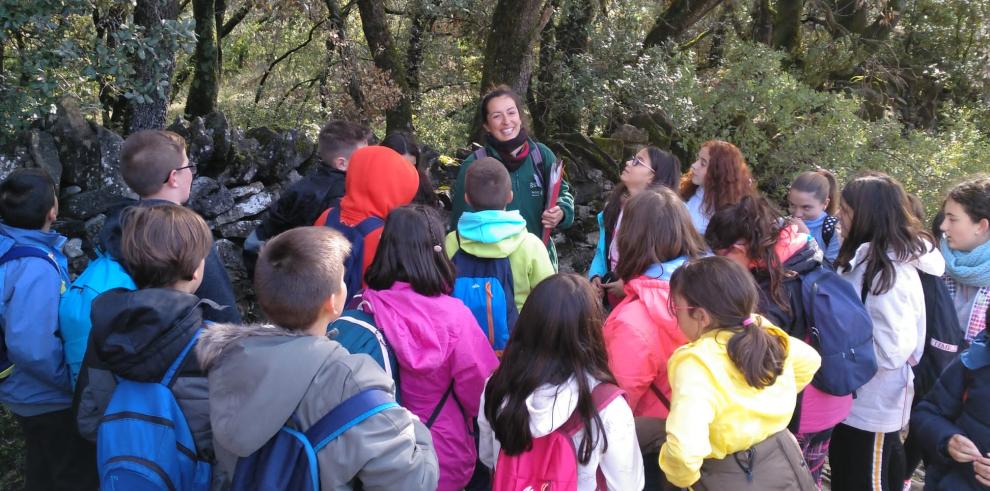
pixel 378 181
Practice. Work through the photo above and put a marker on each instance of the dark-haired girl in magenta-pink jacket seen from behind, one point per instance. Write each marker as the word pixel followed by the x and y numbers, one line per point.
pixel 444 358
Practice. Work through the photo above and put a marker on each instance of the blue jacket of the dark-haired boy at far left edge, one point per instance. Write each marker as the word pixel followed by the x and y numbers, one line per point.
pixel 31 288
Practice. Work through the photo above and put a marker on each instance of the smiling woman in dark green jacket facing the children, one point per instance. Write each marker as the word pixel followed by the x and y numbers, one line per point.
pixel 528 162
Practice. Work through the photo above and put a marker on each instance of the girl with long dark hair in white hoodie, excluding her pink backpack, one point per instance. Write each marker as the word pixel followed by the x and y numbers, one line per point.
pixel 554 361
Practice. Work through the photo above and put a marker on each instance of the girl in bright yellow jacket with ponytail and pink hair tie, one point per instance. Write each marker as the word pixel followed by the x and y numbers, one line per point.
pixel 734 386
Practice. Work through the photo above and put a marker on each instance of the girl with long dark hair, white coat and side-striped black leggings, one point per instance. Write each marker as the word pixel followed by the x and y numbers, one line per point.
pixel 883 248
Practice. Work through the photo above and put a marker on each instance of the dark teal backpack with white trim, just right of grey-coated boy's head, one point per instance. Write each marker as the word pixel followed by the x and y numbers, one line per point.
pixel 357 332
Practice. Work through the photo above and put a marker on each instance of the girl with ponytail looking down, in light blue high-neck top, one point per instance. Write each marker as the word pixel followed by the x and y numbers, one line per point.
pixel 814 199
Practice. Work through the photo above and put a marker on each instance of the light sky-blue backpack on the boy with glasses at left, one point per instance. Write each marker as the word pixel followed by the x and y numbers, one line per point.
pixel 103 274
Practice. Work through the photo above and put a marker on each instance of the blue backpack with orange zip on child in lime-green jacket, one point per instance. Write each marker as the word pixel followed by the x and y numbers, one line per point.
pixel 485 286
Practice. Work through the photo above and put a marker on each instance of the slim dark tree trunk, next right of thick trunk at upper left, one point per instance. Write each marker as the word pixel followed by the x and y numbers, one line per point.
pixel 205 84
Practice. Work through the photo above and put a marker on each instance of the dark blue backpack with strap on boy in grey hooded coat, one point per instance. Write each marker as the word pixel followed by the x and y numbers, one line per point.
pixel 288 460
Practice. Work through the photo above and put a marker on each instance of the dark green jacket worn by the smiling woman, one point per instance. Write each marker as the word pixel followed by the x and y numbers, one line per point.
pixel 527 197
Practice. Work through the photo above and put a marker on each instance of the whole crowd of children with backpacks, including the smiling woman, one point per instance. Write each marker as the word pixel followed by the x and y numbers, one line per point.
pixel 716 342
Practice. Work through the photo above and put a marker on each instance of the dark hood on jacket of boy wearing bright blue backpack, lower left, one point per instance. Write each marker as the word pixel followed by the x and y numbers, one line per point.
pixel 138 334
